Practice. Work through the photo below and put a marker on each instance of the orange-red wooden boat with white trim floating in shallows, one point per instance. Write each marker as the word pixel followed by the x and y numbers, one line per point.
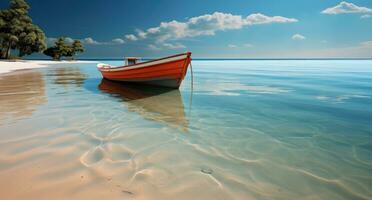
pixel 168 71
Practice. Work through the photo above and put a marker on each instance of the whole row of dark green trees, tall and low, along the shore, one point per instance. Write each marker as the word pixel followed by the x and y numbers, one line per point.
pixel 19 33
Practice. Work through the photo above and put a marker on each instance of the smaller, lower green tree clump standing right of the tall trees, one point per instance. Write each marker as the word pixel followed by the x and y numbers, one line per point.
pixel 61 49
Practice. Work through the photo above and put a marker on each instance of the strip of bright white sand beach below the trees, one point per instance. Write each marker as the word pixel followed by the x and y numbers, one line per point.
pixel 8 66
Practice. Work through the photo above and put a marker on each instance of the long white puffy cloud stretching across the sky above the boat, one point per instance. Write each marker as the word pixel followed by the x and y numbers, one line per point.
pixel 204 25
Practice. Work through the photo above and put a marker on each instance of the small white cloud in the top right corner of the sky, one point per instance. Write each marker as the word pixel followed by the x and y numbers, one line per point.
pixel 346 7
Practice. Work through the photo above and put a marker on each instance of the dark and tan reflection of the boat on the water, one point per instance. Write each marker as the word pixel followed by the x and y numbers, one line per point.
pixel 155 103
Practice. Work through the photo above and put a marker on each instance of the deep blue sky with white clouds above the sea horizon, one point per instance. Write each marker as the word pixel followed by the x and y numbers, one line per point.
pixel 211 28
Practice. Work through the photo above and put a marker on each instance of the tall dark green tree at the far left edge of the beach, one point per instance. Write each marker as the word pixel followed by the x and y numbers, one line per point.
pixel 18 32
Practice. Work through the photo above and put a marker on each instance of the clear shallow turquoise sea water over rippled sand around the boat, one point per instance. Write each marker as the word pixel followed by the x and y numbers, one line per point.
pixel 299 129
